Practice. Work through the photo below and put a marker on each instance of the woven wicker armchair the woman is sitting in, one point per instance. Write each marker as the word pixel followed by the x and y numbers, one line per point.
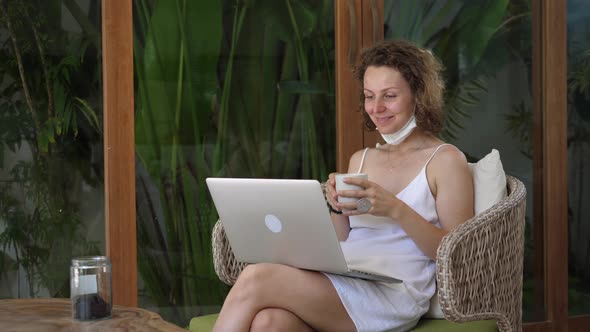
pixel 478 266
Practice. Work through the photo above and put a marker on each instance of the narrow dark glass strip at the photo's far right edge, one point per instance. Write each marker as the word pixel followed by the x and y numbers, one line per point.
pixel 578 148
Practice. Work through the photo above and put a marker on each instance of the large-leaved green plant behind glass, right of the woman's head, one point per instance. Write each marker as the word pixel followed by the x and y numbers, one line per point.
pixel 470 38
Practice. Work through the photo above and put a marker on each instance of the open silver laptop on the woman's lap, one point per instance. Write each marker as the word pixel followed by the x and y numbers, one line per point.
pixel 281 221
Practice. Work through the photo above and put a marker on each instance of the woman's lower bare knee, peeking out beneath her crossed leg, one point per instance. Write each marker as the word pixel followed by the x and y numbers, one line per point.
pixel 278 320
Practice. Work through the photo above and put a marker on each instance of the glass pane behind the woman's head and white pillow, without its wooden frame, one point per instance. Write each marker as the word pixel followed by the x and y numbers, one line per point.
pixel 487 54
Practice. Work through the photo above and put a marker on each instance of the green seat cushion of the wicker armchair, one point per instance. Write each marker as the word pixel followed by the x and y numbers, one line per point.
pixel 205 324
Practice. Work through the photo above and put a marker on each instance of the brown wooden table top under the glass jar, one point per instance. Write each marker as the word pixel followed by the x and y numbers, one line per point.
pixel 49 315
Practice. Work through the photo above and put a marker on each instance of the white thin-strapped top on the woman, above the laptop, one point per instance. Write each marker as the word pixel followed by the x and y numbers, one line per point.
pixel 380 245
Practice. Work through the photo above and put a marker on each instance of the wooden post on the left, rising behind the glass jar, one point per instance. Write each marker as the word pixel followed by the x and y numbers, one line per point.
pixel 119 148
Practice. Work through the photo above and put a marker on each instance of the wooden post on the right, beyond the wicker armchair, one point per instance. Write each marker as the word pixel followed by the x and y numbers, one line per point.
pixel 550 162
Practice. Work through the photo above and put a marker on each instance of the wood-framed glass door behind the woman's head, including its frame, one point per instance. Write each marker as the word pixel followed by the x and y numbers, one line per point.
pixel 487 50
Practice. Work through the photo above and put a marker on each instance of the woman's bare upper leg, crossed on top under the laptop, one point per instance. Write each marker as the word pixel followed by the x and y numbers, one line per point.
pixel 306 294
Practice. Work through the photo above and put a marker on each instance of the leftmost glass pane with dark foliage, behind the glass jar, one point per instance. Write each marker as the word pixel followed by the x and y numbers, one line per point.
pixel 51 153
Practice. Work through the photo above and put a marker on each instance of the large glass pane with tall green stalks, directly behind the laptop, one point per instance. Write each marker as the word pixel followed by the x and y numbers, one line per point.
pixel 224 88
